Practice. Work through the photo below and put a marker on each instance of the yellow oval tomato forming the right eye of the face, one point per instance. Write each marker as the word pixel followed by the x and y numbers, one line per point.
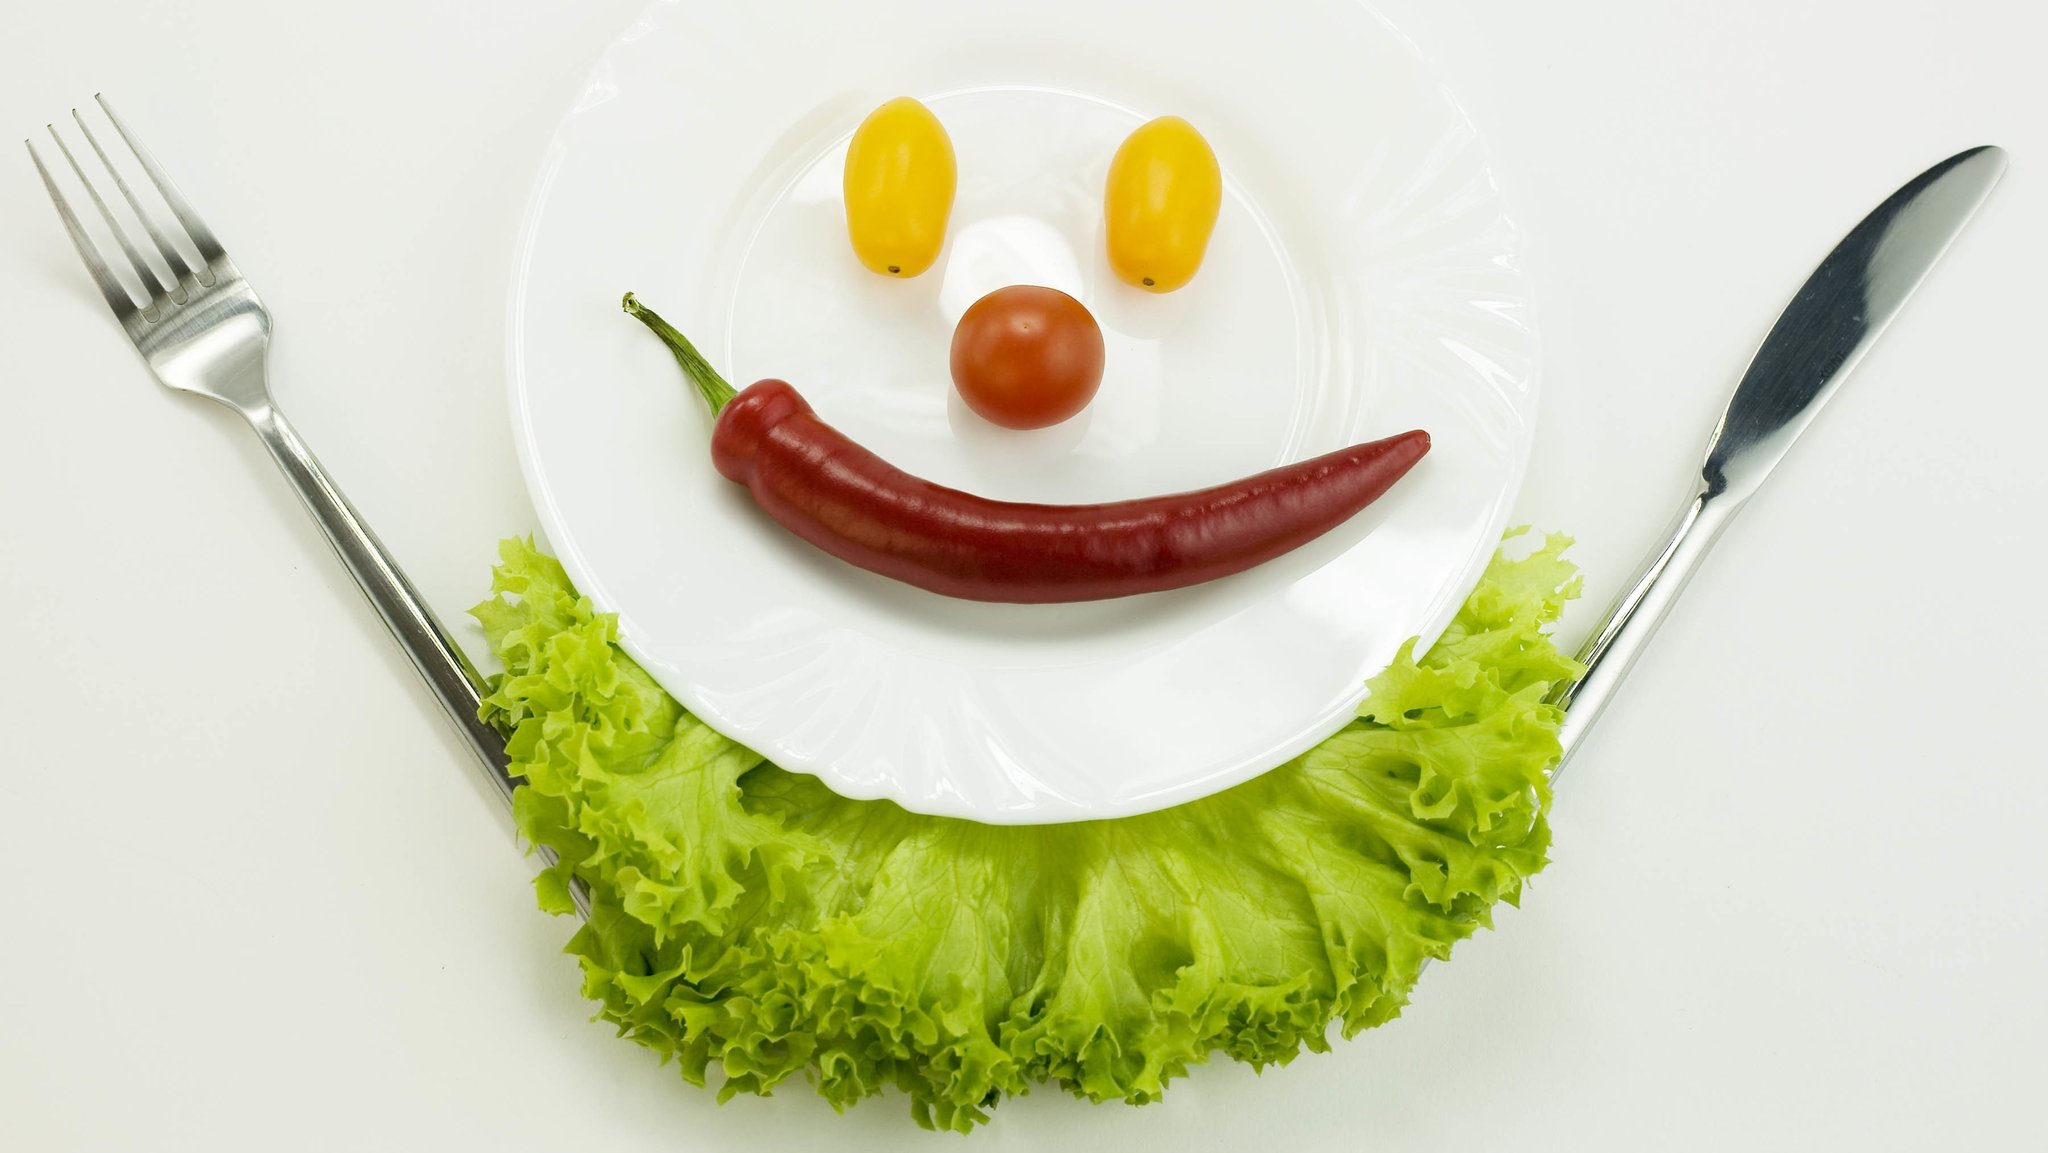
pixel 1162 206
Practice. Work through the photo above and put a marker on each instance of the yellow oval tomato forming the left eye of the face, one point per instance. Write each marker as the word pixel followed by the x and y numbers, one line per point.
pixel 900 179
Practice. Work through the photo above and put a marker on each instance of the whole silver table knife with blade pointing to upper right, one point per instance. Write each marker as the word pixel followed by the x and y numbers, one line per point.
pixel 1820 339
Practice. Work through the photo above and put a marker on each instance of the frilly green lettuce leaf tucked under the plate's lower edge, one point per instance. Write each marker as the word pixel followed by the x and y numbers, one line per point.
pixel 753 927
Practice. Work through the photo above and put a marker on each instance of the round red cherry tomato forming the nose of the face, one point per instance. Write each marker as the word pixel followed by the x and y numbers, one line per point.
pixel 1027 357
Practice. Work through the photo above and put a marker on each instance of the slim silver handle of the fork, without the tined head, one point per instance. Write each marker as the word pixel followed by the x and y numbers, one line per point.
pixel 413 624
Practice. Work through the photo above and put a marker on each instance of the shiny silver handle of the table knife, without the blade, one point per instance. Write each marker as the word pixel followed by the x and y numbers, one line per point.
pixel 1639 611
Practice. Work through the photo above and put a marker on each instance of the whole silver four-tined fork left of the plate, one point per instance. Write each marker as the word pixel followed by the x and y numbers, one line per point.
pixel 204 331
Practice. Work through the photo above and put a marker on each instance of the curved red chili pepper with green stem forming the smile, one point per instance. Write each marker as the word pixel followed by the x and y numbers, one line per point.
pixel 857 507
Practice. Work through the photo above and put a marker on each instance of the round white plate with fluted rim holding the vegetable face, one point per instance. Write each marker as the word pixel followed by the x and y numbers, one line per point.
pixel 1363 282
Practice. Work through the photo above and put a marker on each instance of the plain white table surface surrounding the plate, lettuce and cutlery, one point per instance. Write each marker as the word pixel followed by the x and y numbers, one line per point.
pixel 257 898
